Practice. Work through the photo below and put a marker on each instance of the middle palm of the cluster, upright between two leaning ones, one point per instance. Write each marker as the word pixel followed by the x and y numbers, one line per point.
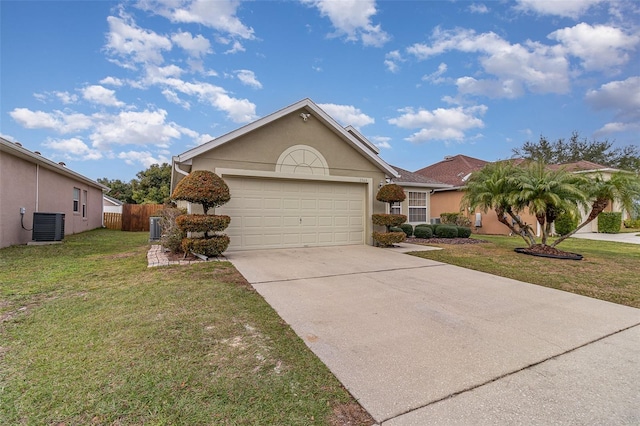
pixel 548 193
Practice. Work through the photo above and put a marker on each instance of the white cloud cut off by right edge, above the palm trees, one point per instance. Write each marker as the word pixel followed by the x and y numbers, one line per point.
pixel 623 97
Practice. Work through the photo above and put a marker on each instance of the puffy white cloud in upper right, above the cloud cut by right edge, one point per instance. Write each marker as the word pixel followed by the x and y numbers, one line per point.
pixel 599 47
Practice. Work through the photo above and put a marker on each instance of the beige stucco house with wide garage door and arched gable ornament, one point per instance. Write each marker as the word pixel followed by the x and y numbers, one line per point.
pixel 297 179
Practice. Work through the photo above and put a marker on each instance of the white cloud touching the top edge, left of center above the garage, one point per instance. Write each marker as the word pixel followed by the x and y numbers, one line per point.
pixel 219 15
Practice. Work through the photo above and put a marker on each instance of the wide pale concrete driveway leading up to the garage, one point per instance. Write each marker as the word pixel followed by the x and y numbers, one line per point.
pixel 418 342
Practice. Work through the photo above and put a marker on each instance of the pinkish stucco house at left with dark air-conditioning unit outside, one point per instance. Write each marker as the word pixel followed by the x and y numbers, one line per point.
pixel 31 182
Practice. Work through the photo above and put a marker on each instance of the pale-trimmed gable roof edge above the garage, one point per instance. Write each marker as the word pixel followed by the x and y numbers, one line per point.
pixel 363 147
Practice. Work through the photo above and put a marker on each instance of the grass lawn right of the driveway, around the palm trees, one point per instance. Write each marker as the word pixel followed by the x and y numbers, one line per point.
pixel 609 271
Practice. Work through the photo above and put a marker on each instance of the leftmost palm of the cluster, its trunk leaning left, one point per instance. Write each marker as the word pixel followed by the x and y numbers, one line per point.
pixel 494 187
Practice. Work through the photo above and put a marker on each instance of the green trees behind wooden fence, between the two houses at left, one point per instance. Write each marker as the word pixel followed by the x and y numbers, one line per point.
pixel 151 186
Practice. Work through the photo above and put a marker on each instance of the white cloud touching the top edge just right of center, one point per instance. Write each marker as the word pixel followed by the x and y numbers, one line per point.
pixel 352 18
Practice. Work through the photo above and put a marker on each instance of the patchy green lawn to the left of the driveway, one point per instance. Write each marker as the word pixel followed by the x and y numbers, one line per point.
pixel 90 335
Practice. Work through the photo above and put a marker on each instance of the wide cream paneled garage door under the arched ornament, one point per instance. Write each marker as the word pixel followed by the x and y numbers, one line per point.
pixel 273 213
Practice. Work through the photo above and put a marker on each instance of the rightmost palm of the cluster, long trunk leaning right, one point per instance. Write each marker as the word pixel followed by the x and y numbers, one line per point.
pixel 623 187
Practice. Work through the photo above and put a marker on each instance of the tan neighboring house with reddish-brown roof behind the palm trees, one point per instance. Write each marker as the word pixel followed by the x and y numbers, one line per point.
pixel 455 170
